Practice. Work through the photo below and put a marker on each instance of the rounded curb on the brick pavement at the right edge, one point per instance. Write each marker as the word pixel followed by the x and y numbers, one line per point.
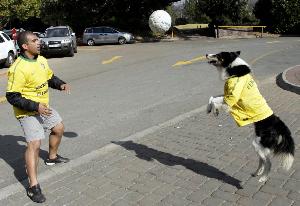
pixel 283 82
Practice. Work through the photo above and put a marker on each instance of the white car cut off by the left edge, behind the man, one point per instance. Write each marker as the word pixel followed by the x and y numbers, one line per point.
pixel 8 52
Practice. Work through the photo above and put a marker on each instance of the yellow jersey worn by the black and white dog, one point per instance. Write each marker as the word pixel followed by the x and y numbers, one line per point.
pixel 246 103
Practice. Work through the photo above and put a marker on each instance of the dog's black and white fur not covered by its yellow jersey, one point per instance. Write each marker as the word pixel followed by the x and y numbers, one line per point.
pixel 271 133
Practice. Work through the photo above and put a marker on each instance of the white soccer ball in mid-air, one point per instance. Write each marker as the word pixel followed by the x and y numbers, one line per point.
pixel 160 22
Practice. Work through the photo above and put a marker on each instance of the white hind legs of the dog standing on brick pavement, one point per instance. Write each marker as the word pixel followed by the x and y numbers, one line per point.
pixel 264 165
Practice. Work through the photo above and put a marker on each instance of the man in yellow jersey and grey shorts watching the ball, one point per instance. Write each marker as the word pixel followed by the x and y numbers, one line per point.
pixel 27 90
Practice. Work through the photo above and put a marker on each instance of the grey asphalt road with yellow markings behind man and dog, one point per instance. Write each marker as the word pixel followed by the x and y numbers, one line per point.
pixel 118 90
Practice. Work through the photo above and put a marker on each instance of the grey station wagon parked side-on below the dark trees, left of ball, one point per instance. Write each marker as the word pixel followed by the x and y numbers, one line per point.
pixel 104 34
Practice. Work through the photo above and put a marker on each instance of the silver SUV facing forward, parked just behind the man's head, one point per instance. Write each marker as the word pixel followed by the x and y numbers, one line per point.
pixel 59 40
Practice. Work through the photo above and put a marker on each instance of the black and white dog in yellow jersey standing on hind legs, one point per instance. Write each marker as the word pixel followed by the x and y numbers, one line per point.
pixel 245 103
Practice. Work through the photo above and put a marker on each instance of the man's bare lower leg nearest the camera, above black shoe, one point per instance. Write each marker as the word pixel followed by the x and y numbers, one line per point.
pixel 31 160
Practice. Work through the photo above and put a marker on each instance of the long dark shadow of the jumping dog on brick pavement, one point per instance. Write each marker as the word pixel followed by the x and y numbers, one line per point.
pixel 146 153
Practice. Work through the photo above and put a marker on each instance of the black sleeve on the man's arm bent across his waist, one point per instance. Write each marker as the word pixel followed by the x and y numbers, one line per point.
pixel 16 99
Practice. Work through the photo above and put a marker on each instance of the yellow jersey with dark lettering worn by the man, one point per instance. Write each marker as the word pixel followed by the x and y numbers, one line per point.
pixel 30 78
